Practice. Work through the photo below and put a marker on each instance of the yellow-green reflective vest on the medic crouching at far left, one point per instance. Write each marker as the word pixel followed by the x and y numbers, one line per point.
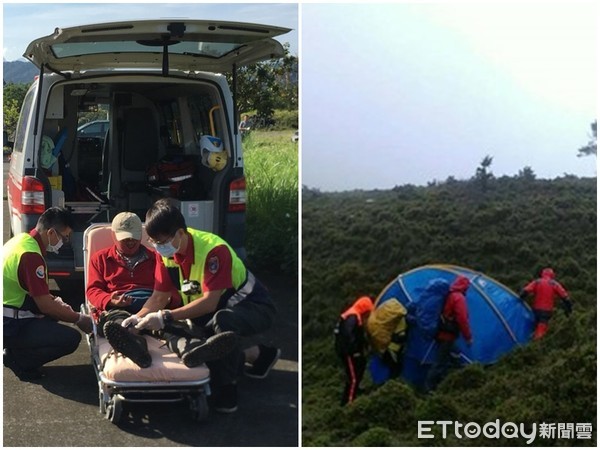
pixel 13 294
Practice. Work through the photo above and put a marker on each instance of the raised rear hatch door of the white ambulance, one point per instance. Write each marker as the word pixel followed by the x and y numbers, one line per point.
pixel 188 45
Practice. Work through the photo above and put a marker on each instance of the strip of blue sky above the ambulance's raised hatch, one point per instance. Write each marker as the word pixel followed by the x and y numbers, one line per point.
pixel 24 22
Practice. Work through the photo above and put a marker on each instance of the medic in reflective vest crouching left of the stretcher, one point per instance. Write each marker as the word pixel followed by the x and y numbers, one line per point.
pixel 32 333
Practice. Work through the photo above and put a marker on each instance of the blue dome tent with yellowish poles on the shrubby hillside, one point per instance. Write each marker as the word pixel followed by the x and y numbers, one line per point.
pixel 499 320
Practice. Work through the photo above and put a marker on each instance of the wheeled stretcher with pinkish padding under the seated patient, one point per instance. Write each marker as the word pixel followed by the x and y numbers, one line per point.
pixel 120 380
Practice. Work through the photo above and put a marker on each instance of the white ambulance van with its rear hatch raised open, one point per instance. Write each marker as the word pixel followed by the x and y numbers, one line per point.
pixel 171 126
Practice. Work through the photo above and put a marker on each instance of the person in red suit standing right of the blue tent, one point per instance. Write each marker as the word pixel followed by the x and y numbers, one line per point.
pixel 545 289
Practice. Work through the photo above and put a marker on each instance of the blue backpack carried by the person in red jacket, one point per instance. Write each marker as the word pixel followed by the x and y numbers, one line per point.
pixel 427 311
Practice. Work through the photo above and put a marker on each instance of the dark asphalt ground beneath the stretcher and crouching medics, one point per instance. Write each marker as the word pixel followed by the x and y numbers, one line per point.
pixel 62 408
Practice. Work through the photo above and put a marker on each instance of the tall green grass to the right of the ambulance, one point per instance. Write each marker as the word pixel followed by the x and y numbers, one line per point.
pixel 271 168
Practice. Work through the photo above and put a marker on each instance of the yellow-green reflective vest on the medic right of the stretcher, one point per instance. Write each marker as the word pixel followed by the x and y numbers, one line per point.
pixel 204 242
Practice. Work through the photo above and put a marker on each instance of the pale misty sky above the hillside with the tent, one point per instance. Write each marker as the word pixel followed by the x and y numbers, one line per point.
pixel 396 94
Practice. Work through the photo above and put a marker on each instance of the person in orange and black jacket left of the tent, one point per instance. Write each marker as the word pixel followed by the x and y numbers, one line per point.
pixel 351 345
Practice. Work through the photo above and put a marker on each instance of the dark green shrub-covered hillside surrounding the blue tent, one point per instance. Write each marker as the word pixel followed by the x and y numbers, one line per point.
pixel 357 242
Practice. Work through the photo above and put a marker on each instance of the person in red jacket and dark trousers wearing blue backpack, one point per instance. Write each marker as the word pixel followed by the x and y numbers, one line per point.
pixel 454 321
